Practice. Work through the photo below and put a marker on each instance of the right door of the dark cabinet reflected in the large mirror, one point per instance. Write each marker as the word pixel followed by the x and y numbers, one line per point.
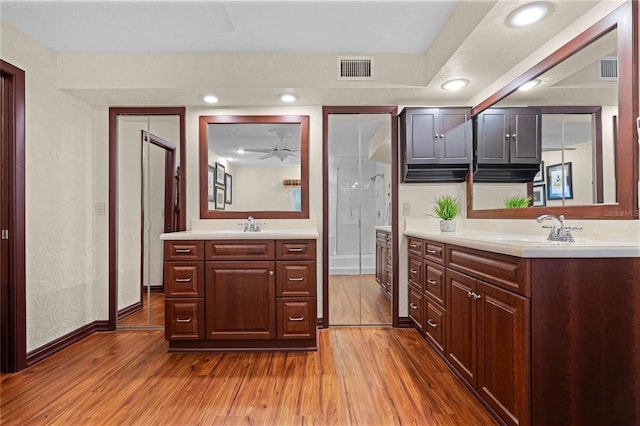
pixel 526 136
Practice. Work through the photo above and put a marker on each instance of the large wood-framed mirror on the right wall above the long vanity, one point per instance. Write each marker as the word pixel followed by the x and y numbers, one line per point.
pixel 588 128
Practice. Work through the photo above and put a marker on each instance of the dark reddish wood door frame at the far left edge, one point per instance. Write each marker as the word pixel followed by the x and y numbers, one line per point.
pixel 13 317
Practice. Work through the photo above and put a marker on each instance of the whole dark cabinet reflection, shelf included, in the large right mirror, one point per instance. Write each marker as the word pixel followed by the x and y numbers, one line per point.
pixel 508 144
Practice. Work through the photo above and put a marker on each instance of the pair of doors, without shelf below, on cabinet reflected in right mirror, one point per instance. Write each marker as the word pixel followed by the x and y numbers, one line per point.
pixel 509 136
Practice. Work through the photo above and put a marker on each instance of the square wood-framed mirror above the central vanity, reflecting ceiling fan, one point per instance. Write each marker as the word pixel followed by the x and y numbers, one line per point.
pixel 254 166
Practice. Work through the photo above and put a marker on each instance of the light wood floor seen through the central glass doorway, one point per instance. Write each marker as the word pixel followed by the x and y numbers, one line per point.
pixel 357 300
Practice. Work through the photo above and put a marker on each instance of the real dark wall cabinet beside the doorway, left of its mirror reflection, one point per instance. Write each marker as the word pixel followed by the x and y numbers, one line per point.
pixel 436 144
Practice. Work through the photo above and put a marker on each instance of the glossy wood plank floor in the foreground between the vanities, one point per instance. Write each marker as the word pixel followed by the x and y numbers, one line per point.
pixel 358 376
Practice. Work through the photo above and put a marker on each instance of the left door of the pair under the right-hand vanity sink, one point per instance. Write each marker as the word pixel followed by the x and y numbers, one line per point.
pixel 461 324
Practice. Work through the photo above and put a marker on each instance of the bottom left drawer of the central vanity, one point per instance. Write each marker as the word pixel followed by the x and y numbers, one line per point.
pixel 184 319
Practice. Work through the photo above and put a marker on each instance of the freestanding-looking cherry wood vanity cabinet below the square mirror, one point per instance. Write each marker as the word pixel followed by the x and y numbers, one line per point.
pixel 251 294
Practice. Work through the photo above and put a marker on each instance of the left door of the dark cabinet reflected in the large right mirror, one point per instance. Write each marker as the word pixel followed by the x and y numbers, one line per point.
pixel 493 135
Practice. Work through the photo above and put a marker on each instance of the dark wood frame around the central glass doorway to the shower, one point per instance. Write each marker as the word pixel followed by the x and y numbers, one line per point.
pixel 331 110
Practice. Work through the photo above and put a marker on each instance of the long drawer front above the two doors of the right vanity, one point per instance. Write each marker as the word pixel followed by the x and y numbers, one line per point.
pixel 509 272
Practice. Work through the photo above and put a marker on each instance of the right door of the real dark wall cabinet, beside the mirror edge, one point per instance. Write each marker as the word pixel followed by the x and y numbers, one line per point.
pixel 455 141
